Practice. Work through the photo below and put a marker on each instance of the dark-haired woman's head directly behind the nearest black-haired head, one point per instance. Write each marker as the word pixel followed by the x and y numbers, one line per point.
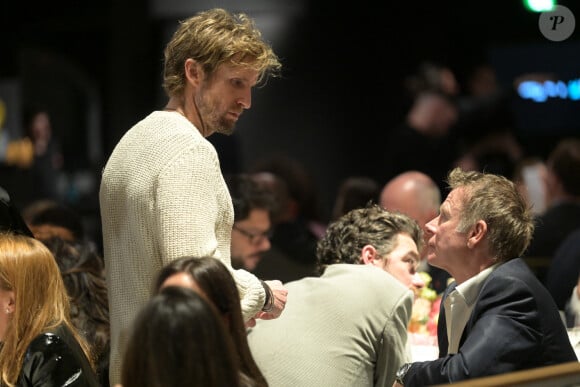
pixel 212 279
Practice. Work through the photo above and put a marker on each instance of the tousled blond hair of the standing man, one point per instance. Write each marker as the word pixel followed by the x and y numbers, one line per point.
pixel 212 38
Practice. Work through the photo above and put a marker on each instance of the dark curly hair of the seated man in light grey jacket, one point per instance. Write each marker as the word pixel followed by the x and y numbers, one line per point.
pixel 372 225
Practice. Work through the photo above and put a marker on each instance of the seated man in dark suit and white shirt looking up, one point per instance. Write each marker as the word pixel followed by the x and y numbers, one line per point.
pixel 496 317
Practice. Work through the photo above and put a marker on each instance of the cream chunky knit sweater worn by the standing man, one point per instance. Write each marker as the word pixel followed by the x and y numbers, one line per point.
pixel 162 196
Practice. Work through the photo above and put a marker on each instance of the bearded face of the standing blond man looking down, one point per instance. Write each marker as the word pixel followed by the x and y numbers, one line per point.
pixel 221 99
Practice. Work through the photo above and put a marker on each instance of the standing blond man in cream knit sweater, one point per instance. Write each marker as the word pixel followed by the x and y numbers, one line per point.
pixel 162 194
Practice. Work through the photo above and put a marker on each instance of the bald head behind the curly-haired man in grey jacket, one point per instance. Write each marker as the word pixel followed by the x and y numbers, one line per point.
pixel 413 193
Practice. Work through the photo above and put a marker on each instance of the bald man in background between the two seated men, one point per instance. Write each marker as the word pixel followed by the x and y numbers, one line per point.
pixel 416 195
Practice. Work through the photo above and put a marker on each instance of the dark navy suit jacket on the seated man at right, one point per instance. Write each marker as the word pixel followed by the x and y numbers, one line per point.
pixel 515 325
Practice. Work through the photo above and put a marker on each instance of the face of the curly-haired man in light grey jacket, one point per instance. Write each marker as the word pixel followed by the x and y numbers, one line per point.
pixel 402 262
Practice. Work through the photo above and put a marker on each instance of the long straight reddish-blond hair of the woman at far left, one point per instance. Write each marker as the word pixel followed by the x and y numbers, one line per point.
pixel 28 269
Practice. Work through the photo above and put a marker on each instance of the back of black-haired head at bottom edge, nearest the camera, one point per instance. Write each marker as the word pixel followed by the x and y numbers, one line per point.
pixel 179 340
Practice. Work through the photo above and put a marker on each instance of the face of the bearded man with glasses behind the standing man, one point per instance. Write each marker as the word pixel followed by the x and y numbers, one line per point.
pixel 250 239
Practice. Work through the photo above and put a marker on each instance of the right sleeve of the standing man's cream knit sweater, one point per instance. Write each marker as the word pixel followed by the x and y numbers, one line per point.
pixel 195 217
